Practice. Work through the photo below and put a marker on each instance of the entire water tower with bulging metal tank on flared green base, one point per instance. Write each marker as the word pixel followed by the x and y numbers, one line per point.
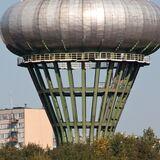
pixel 83 57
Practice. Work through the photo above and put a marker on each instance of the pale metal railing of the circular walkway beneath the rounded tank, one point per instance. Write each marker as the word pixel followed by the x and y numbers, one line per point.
pixel 85 56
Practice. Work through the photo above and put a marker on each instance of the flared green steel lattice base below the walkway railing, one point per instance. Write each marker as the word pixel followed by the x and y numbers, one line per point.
pixel 73 116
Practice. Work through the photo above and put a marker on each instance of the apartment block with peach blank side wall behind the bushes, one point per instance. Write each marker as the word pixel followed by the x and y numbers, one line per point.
pixel 20 126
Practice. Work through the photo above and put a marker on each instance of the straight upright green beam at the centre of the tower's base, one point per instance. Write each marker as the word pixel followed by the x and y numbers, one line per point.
pixel 83 101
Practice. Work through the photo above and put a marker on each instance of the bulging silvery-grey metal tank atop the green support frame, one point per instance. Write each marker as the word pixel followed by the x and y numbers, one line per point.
pixel 53 26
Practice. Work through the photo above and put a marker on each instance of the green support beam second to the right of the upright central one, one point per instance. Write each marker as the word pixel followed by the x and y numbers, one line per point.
pixel 104 99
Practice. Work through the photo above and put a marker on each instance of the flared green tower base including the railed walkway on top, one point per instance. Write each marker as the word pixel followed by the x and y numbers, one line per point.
pixel 120 76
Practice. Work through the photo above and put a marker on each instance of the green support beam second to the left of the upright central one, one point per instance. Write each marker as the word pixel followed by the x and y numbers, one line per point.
pixel 63 100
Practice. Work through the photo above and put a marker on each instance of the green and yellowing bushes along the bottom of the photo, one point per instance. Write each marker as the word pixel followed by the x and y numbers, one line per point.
pixel 117 147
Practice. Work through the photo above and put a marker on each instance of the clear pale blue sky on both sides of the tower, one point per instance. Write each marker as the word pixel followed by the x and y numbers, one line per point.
pixel 141 111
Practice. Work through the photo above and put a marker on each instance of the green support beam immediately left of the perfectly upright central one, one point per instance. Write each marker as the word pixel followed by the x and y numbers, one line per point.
pixel 73 101
